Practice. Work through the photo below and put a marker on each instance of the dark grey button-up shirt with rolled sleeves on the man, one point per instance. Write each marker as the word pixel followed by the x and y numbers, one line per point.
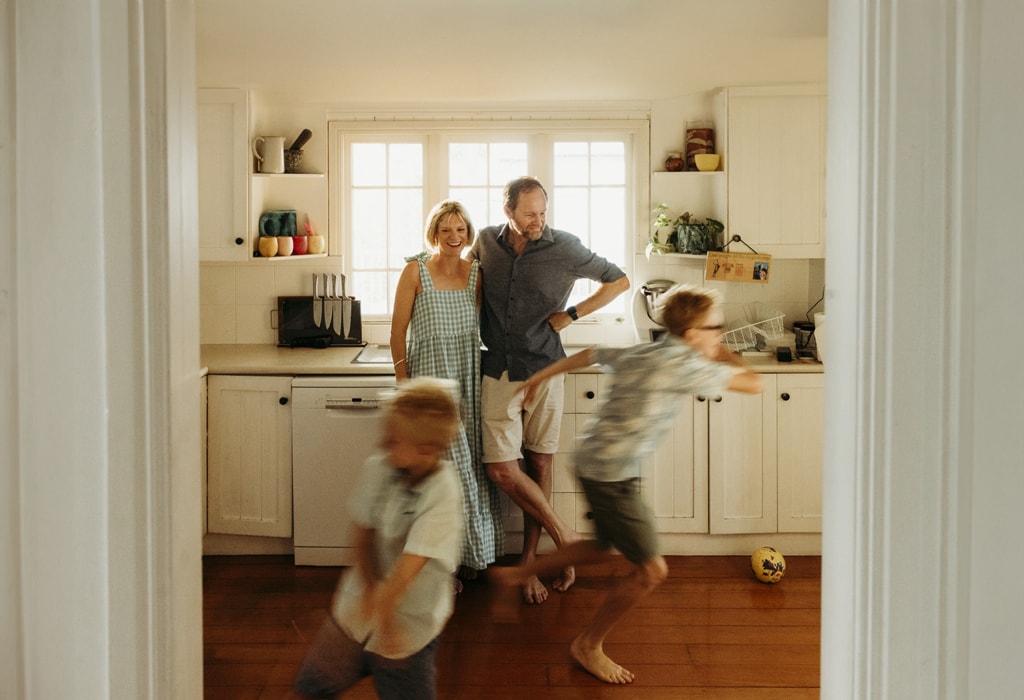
pixel 522 291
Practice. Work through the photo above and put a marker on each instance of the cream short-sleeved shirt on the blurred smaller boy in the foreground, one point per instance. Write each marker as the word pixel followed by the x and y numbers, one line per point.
pixel 424 520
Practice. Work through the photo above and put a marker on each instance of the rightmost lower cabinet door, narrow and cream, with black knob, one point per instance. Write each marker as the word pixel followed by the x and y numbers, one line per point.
pixel 801 452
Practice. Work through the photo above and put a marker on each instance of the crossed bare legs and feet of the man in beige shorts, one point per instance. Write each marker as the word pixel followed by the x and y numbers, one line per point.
pixel 530 496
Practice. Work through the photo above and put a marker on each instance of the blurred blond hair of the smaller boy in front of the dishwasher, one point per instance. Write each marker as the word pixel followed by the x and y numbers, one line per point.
pixel 431 406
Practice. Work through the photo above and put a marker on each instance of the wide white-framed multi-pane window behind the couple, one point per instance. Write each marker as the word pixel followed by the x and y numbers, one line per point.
pixel 387 177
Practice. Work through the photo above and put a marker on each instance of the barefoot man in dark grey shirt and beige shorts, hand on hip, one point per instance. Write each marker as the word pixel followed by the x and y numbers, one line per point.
pixel 529 273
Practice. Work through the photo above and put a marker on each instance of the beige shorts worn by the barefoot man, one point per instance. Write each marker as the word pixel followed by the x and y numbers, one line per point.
pixel 510 427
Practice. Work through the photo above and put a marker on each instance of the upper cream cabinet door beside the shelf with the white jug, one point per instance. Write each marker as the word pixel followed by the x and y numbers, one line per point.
pixel 224 174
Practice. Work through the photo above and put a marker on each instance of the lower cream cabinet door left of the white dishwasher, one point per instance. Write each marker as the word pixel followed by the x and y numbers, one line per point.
pixel 250 456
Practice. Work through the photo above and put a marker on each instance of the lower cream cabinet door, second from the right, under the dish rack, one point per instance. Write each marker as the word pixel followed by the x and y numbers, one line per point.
pixel 742 462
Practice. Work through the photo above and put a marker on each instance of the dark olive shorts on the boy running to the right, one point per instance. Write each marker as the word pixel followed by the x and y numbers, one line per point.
pixel 622 518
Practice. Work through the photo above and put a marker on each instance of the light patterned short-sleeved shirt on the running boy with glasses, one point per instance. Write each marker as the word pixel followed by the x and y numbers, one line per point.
pixel 651 381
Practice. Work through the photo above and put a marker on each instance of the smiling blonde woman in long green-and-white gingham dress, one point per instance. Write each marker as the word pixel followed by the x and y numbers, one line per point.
pixel 436 332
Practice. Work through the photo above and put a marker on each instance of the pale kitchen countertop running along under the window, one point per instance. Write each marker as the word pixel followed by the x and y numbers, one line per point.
pixel 270 360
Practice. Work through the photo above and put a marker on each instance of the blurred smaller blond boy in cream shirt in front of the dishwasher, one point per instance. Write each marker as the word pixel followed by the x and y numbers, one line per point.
pixel 391 608
